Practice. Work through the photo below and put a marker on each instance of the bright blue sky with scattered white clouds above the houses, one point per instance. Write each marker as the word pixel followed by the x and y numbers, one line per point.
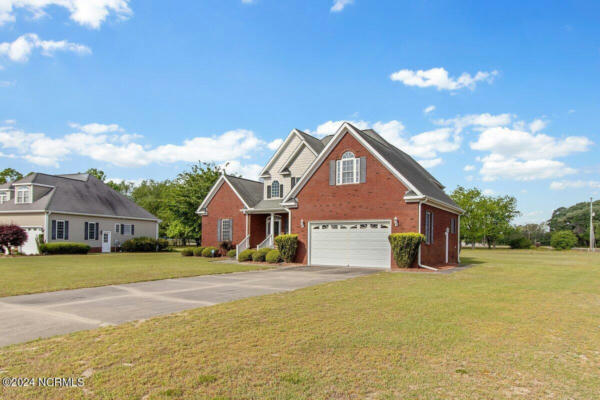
pixel 499 95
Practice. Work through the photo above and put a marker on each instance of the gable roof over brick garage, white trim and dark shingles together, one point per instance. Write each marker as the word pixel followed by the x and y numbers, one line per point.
pixel 421 184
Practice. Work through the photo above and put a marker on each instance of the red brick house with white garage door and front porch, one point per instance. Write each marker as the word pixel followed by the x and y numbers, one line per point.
pixel 343 195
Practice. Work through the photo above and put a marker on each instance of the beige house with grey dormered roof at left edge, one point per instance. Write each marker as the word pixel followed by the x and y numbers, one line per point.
pixel 73 208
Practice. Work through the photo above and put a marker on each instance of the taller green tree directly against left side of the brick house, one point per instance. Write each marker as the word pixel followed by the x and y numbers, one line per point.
pixel 189 190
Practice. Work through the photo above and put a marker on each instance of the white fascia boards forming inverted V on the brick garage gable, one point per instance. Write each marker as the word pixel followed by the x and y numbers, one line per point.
pixel 346 128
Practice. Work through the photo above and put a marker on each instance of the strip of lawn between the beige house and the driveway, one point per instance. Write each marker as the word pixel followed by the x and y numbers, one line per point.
pixel 24 275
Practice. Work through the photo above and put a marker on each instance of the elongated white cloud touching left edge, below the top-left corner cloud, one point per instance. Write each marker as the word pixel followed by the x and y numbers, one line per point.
pixel 21 49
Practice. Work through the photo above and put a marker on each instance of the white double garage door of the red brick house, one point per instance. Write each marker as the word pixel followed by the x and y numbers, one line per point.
pixel 353 244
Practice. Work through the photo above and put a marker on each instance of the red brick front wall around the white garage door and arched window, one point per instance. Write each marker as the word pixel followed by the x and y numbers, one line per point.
pixel 380 197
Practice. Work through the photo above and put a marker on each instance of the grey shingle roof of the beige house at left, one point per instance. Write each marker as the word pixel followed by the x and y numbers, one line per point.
pixel 77 194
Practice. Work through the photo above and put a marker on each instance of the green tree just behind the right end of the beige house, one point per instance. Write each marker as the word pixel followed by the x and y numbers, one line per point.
pixel 154 196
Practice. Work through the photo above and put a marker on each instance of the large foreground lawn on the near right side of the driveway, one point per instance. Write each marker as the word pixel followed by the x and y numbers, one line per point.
pixel 519 324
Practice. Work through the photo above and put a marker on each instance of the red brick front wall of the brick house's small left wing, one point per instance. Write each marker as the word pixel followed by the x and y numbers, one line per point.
pixel 224 205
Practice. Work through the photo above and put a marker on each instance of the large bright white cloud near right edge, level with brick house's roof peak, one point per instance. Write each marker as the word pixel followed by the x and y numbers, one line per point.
pixel 513 143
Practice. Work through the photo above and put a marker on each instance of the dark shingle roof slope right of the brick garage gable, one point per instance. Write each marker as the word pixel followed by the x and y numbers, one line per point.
pixel 407 166
